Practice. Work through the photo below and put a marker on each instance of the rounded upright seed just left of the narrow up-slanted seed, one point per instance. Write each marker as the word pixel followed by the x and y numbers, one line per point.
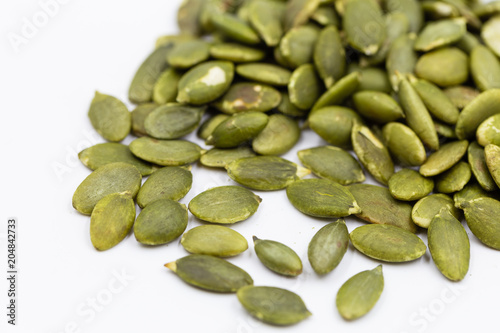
pixel 304 87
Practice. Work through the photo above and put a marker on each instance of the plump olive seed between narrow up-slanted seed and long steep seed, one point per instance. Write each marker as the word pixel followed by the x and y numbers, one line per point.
pixel 377 106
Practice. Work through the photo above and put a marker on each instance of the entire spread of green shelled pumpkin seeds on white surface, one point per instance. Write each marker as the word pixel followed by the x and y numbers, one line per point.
pixel 412 88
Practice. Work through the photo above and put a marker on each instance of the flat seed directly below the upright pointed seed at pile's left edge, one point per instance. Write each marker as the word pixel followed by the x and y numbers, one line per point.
pixel 106 153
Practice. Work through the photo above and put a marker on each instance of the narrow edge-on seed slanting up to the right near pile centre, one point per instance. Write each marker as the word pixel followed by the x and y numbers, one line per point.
pixel 337 93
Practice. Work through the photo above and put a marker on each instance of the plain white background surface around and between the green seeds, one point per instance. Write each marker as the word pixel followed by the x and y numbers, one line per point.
pixel 46 88
